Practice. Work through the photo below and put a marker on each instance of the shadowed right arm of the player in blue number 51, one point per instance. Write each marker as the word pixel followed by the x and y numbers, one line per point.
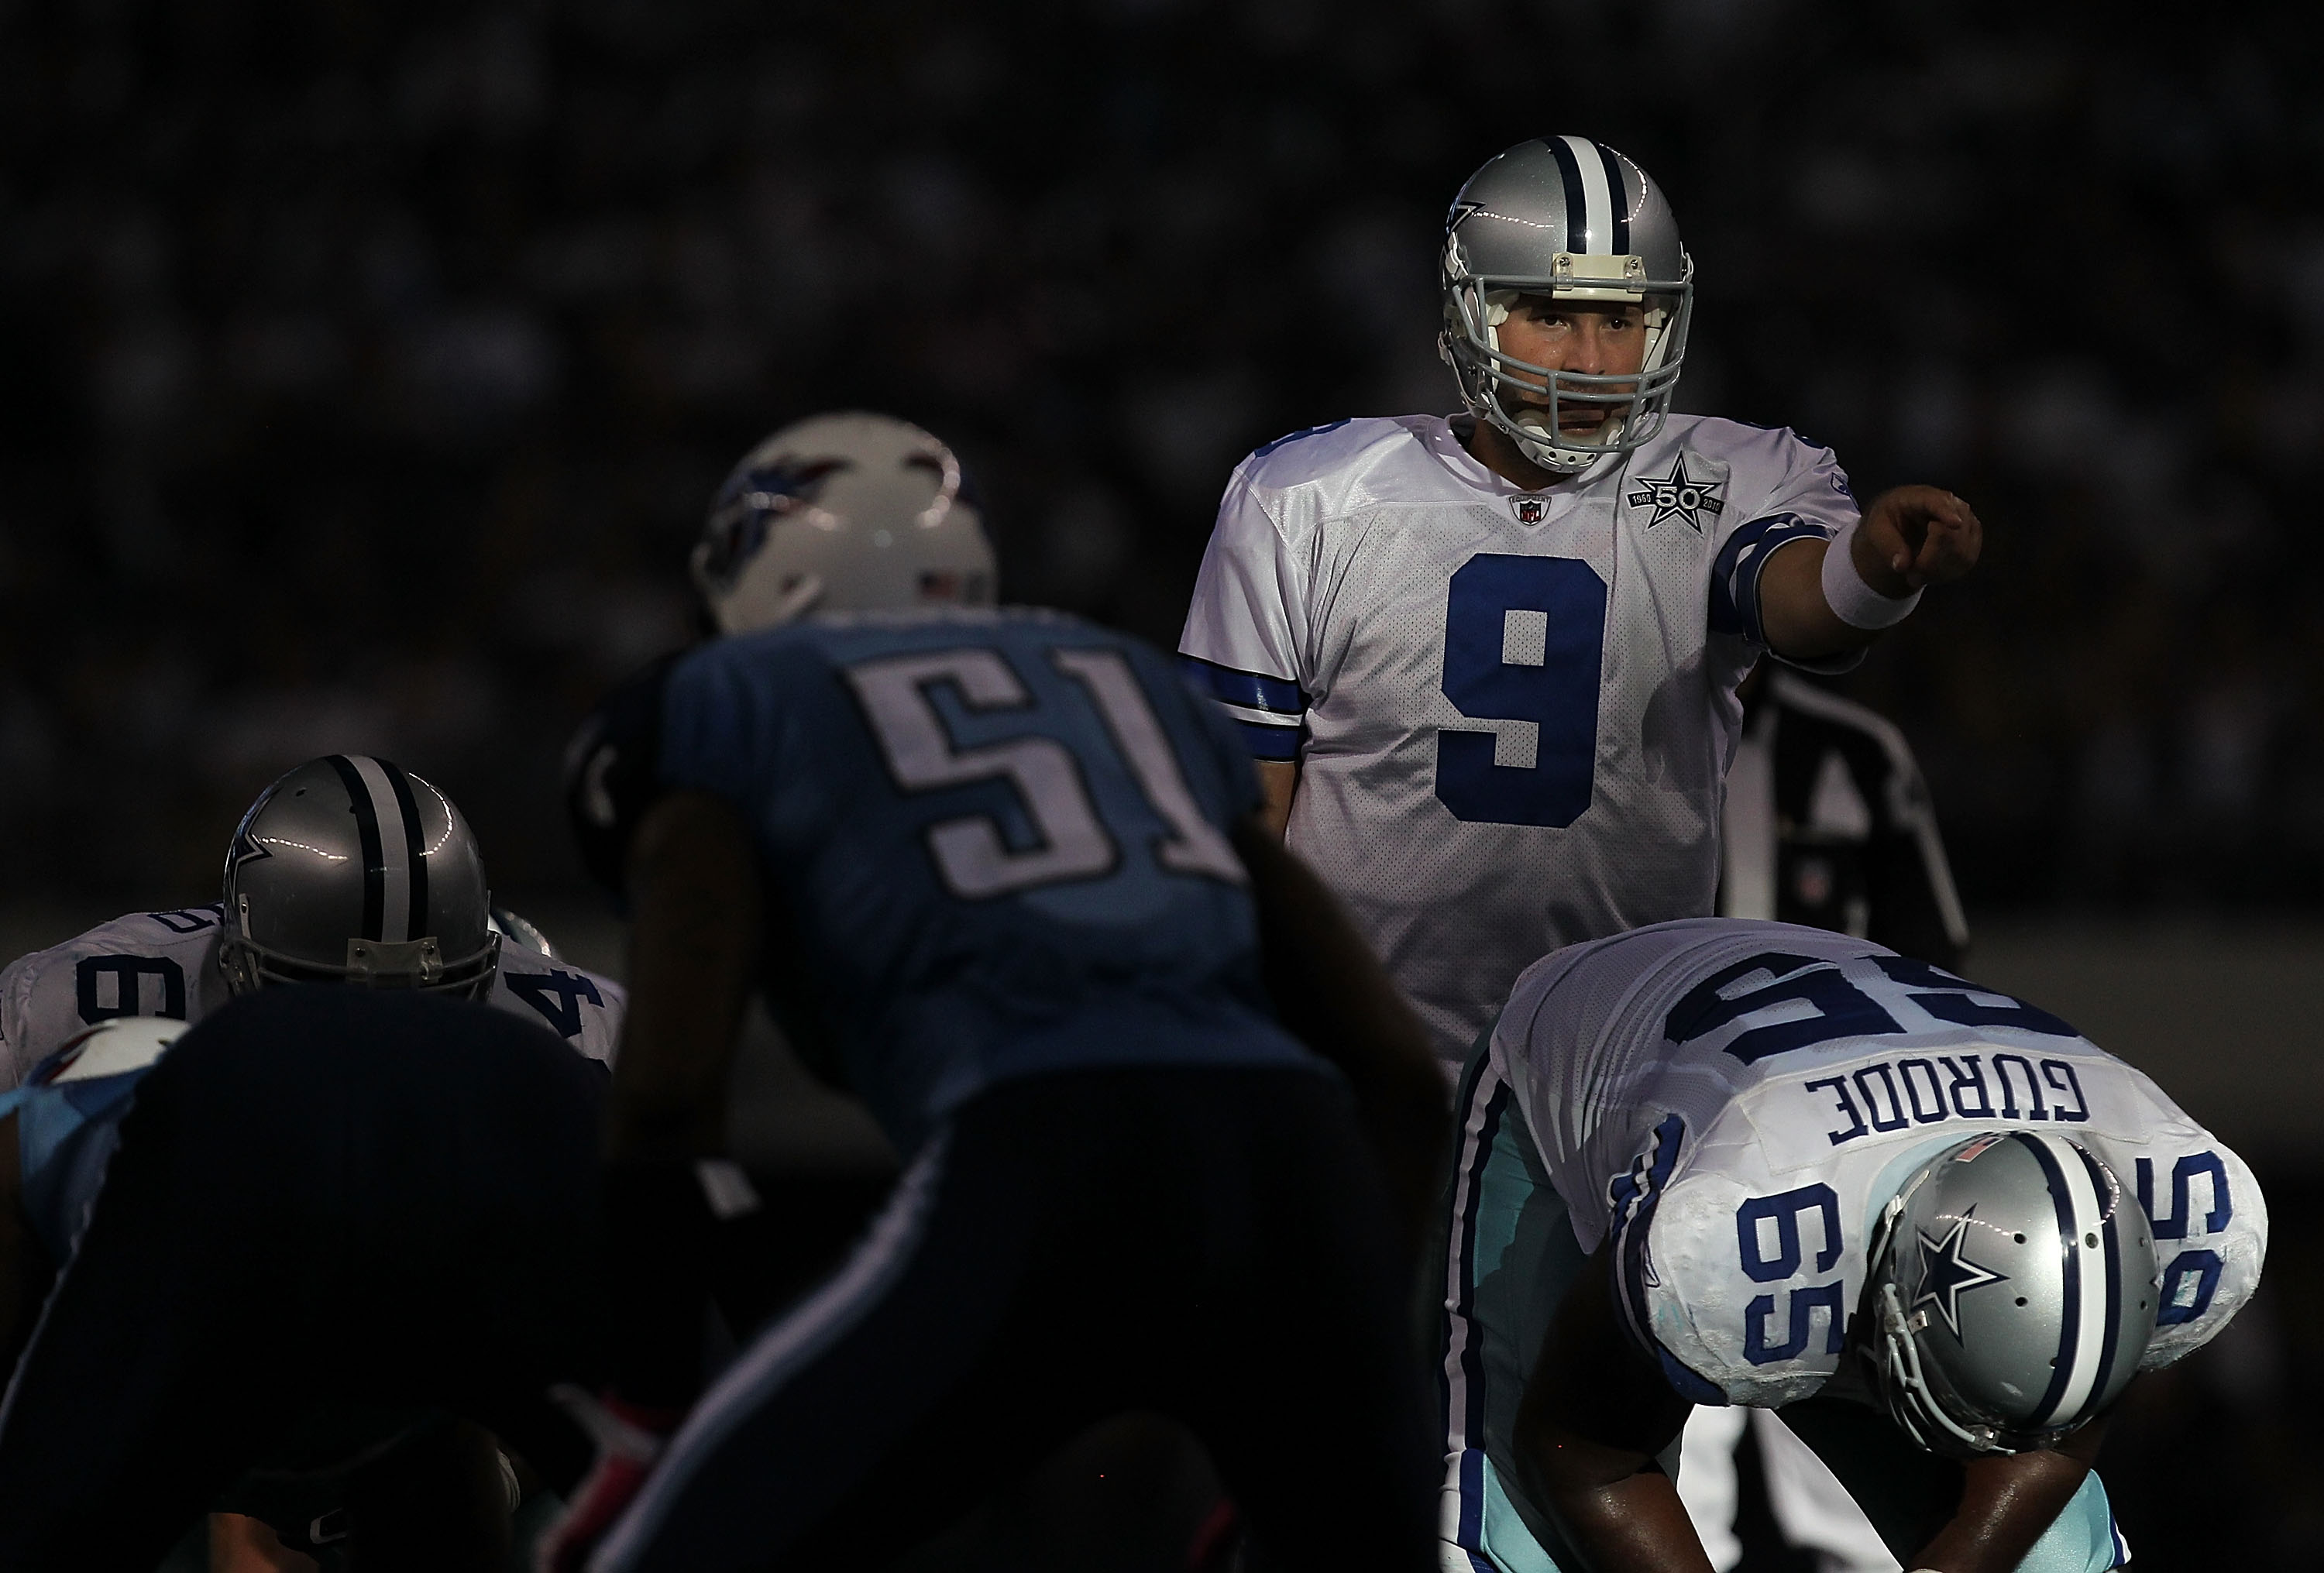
pixel 1337 998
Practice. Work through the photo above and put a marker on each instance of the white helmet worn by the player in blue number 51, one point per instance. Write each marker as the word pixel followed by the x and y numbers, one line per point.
pixel 849 512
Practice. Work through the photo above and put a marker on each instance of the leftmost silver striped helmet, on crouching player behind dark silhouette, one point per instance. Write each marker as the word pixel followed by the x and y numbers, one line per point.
pixel 352 870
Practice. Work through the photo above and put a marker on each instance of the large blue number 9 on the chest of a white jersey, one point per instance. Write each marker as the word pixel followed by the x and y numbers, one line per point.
pixel 1523 642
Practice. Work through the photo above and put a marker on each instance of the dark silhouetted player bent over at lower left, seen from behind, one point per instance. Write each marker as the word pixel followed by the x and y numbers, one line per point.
pixel 308 1235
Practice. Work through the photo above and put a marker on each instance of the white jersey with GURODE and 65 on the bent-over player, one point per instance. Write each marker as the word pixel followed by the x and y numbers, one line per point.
pixel 1716 1091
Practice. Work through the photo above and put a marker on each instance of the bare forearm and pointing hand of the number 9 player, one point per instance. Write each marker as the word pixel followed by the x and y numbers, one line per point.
pixel 1911 538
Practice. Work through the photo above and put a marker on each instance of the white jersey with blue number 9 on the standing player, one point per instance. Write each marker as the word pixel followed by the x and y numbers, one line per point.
pixel 1512 710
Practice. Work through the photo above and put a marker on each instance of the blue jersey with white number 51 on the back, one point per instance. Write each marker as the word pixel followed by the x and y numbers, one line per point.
pixel 1000 842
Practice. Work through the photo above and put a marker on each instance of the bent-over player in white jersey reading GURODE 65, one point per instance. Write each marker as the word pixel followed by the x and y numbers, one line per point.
pixel 1753 1163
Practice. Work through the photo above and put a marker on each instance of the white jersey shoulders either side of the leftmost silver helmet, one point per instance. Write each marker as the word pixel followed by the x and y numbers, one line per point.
pixel 168 965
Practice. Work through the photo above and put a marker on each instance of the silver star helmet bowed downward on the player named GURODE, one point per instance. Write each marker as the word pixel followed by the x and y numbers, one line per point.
pixel 2011 1295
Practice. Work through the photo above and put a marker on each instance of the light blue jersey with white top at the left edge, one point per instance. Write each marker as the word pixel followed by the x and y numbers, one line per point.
pixel 69 1121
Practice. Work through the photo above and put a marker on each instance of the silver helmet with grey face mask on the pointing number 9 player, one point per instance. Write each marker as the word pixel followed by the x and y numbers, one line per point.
pixel 1570 220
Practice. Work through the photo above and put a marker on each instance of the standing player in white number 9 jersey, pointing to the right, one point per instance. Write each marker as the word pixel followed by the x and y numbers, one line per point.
pixel 1489 663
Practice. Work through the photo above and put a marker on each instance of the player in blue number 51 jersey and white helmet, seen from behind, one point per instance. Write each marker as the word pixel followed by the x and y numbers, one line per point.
pixel 1003 875
